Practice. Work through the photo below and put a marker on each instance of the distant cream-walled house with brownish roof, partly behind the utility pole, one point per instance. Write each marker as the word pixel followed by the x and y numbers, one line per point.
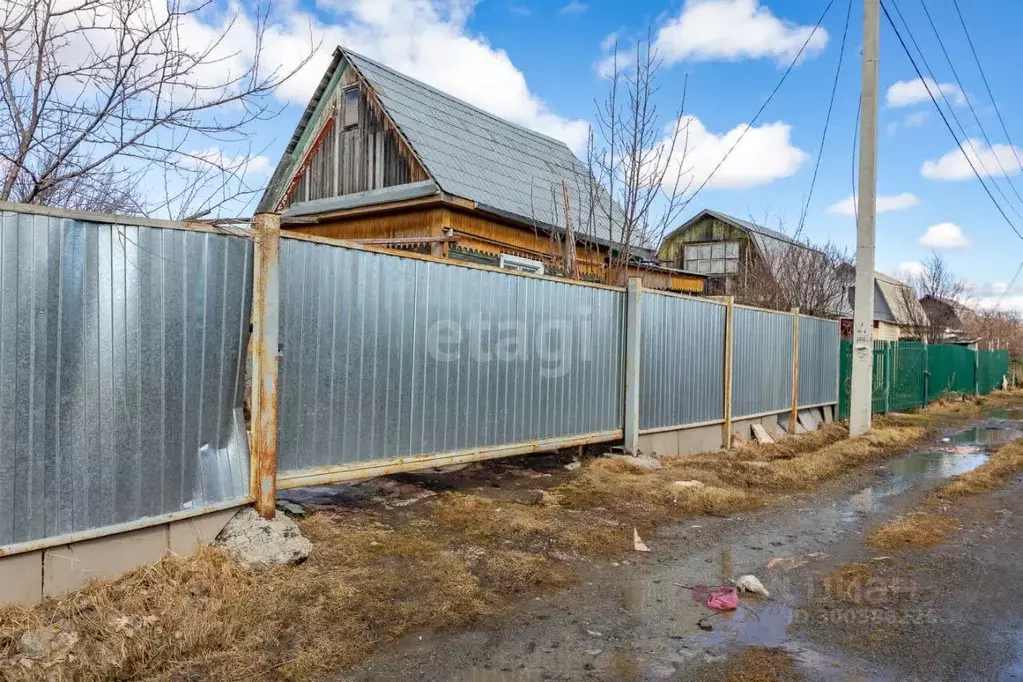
pixel 898 313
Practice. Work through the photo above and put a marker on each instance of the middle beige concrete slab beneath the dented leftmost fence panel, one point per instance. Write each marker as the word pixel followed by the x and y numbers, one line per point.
pixel 70 567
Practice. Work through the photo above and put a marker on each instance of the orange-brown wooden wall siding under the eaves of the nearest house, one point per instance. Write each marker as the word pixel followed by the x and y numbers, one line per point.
pixel 483 240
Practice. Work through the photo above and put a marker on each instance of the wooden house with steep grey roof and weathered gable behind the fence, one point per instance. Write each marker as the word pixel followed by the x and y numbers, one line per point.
pixel 385 160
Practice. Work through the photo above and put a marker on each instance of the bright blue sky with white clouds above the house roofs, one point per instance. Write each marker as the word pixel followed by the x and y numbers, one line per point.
pixel 541 64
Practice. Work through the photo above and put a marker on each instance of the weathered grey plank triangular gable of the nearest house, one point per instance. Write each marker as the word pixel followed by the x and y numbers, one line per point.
pixel 370 156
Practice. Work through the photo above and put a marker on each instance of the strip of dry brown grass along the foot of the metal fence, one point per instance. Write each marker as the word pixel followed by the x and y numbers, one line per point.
pixel 368 583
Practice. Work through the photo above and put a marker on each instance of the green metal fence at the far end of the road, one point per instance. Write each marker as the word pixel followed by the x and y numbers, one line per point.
pixel 911 375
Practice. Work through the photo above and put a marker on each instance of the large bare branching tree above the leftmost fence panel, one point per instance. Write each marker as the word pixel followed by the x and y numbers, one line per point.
pixel 100 94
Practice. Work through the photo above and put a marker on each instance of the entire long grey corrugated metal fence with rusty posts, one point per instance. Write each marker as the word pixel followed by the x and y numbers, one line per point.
pixel 123 368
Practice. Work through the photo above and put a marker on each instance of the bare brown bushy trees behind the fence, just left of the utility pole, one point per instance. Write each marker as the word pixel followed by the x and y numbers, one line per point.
pixel 803 276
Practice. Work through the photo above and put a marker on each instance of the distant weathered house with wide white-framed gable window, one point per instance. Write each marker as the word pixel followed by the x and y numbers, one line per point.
pixel 725 249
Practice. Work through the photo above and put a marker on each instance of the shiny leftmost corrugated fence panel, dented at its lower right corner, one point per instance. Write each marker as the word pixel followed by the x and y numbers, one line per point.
pixel 121 373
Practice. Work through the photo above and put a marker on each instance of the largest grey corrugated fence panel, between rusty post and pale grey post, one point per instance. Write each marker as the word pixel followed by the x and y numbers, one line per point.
pixel 386 357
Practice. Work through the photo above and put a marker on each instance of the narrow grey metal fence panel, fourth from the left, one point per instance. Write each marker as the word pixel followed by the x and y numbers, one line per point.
pixel 762 370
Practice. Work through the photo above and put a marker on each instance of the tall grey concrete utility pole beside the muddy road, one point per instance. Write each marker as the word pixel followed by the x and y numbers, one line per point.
pixel 863 315
